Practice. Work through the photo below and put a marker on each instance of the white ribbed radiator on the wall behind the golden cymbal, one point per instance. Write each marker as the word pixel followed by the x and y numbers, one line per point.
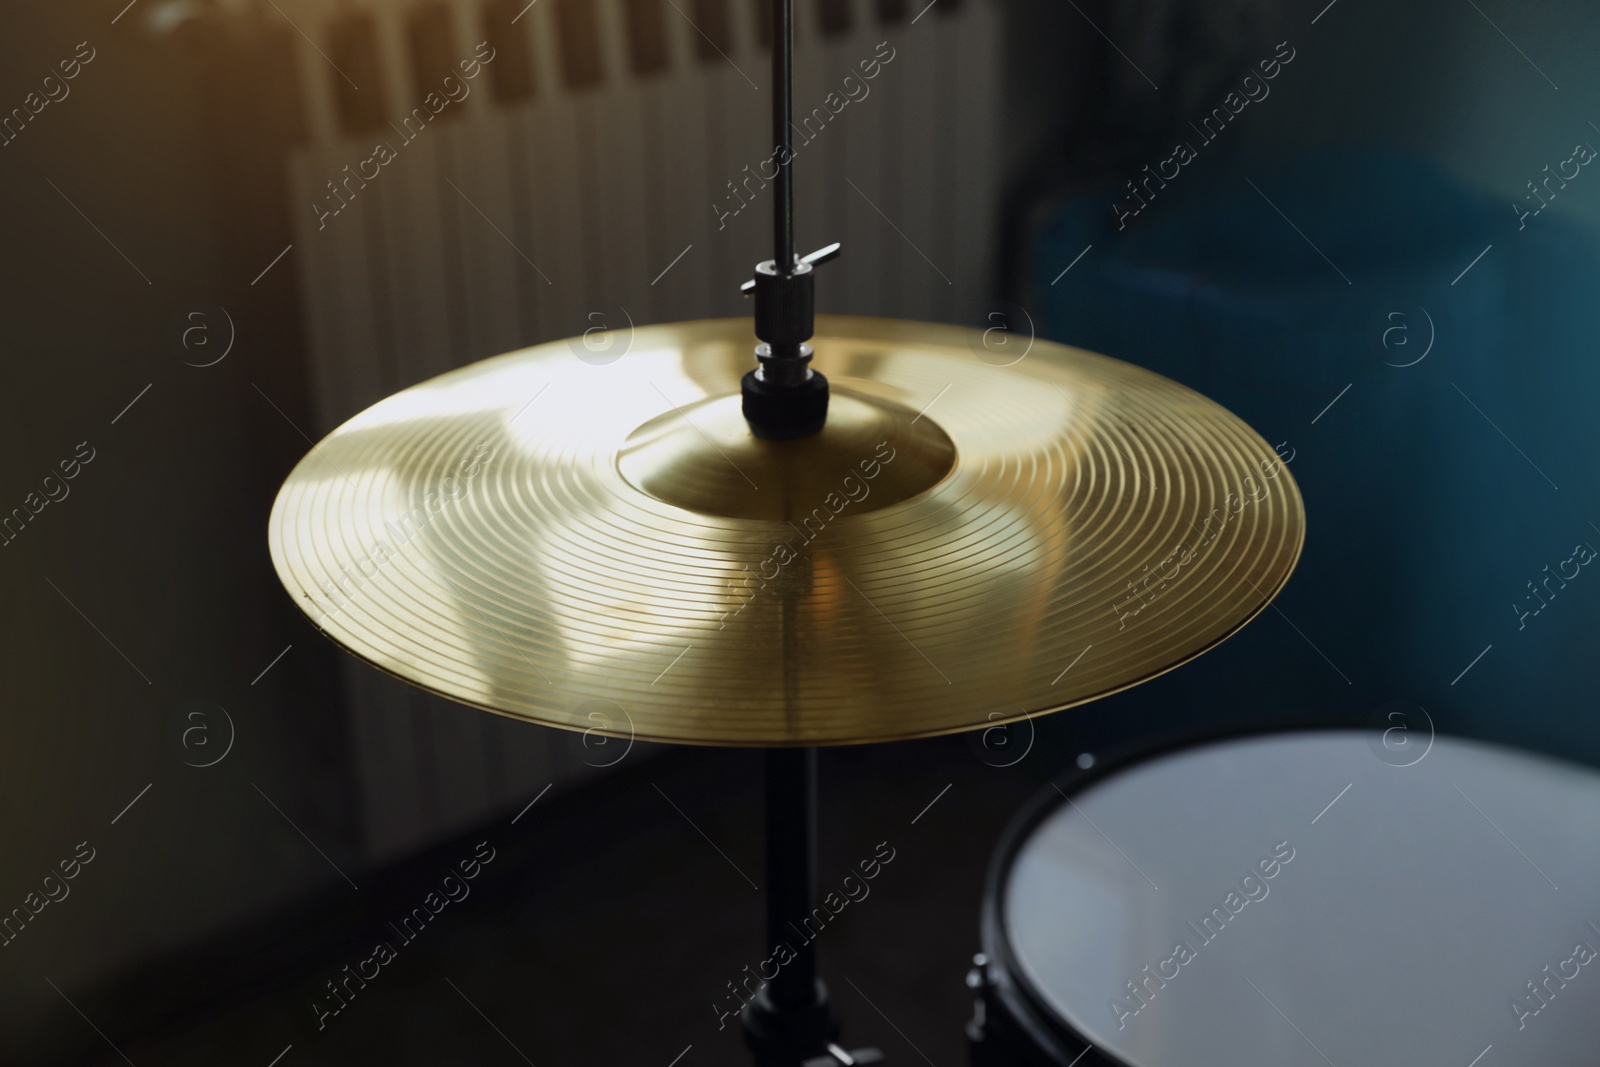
pixel 561 188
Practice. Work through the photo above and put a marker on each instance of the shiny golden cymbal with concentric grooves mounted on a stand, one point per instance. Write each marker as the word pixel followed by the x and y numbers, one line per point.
pixel 964 545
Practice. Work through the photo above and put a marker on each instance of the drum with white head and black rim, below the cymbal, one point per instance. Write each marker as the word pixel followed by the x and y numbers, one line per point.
pixel 1314 898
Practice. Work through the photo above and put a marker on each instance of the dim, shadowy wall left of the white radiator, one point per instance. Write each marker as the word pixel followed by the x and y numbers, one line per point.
pixel 146 583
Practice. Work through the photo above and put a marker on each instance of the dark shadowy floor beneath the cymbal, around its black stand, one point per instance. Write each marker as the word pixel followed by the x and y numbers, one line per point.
pixel 604 930
